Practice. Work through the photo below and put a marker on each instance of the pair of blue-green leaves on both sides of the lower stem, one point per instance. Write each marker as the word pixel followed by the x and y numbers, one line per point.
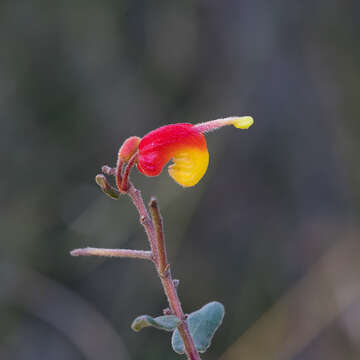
pixel 202 324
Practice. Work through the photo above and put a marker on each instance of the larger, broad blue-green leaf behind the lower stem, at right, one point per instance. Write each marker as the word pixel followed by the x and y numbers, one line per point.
pixel 203 324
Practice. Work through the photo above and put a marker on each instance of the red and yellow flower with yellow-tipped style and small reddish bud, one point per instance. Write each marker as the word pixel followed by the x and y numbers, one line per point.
pixel 182 143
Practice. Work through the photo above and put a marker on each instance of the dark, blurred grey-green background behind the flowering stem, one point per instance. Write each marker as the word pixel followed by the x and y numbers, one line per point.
pixel 271 231
